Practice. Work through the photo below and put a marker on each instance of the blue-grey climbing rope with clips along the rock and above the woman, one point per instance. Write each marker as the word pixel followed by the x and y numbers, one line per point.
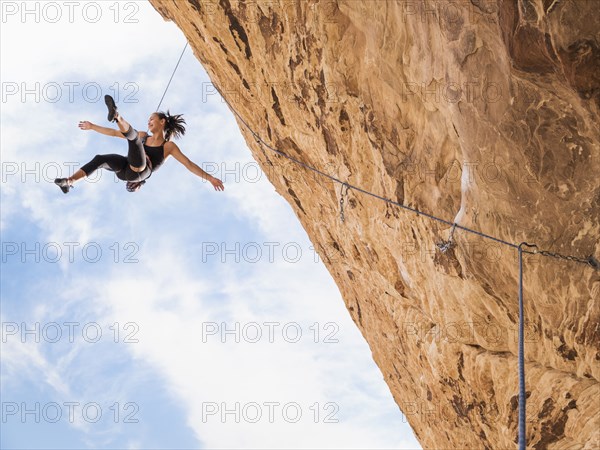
pixel 443 246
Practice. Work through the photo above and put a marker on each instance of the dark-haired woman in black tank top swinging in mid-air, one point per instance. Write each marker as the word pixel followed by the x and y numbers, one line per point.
pixel 146 152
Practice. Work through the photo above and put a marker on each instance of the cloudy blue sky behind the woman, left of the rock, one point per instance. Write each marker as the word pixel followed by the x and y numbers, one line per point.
pixel 133 294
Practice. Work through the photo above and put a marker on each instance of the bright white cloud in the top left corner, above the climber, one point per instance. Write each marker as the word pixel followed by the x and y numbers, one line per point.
pixel 84 42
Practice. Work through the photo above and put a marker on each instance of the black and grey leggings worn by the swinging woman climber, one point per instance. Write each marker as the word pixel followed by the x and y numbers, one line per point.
pixel 136 157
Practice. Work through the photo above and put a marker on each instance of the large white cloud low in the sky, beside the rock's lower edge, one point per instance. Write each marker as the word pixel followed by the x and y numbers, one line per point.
pixel 202 371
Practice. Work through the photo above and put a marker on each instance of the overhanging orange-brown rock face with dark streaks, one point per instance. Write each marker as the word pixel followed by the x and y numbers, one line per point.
pixel 483 112
